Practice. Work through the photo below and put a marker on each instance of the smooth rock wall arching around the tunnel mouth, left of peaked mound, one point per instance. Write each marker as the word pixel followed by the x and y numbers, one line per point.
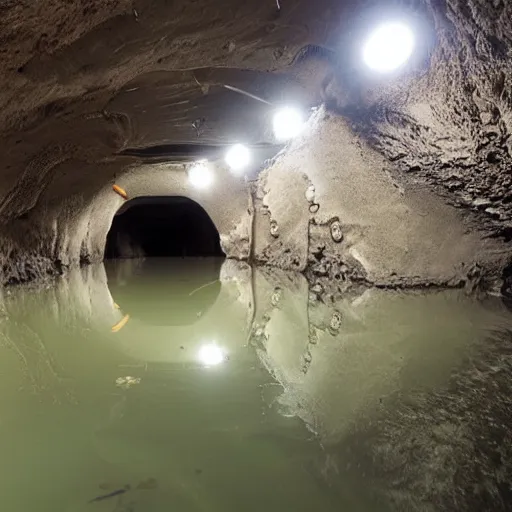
pixel 64 232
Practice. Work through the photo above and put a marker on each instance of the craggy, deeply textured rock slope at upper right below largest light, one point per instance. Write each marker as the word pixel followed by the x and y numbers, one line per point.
pixel 447 120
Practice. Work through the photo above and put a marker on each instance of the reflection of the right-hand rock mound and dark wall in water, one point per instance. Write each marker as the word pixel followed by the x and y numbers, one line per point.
pixel 404 434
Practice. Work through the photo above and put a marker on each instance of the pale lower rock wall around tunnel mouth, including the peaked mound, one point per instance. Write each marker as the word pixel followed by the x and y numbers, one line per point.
pixel 329 205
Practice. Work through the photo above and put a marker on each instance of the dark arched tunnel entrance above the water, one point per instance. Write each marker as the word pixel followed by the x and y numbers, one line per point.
pixel 162 227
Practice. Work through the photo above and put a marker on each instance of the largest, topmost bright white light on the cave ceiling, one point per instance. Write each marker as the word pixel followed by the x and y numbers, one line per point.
pixel 388 47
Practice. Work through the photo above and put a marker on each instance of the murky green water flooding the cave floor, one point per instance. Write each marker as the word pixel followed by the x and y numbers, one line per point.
pixel 216 387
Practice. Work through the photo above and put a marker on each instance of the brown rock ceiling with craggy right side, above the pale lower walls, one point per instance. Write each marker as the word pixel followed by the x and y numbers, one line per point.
pixel 115 81
